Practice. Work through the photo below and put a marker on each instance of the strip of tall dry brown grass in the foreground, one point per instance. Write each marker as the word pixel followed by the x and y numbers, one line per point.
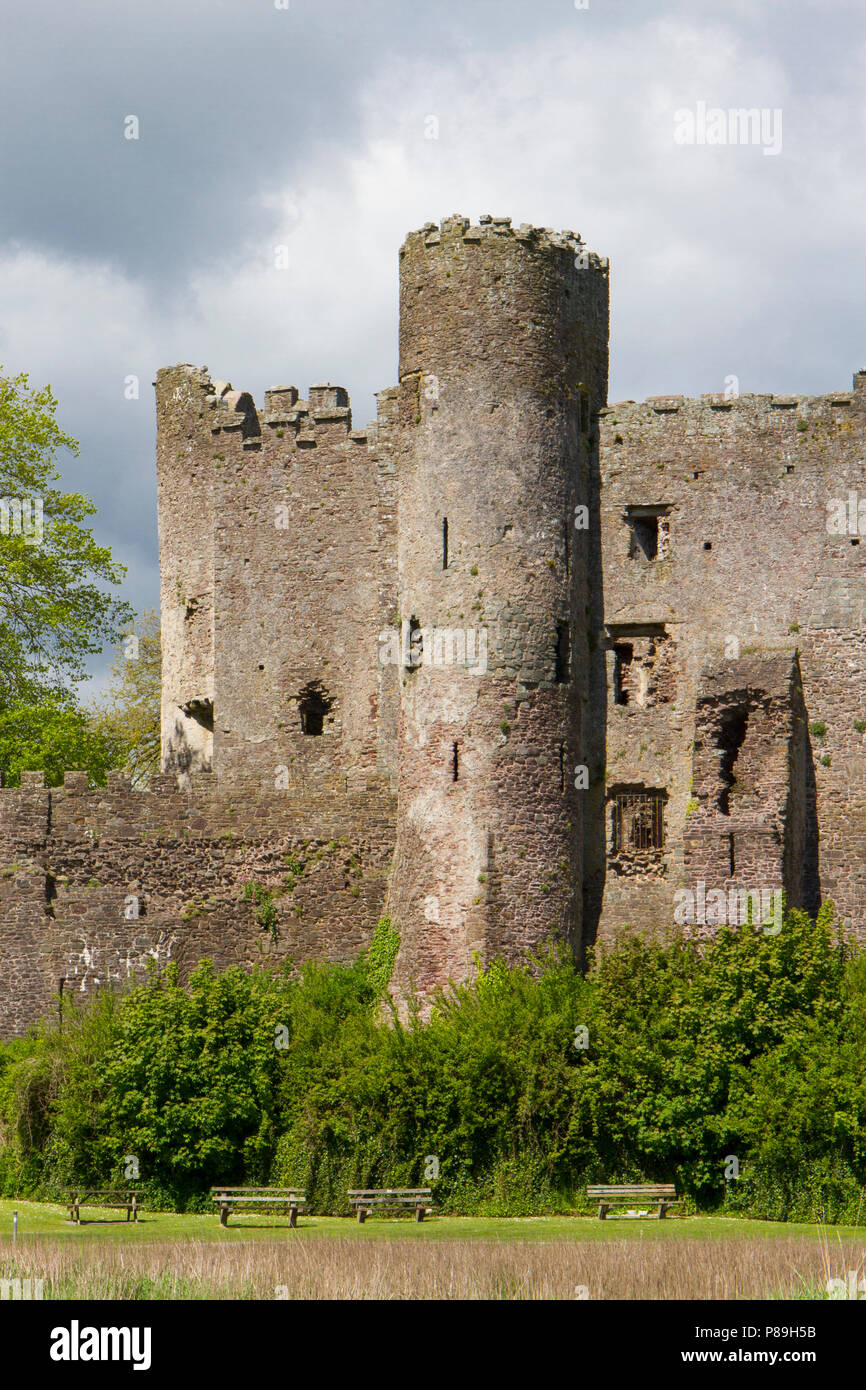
pixel 411 1270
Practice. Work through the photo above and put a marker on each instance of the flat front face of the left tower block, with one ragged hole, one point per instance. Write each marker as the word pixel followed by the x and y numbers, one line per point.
pixel 301 597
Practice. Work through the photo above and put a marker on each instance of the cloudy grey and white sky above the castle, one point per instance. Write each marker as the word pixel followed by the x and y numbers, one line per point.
pixel 307 126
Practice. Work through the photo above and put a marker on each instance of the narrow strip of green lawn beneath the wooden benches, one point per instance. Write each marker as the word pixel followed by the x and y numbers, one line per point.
pixel 47 1220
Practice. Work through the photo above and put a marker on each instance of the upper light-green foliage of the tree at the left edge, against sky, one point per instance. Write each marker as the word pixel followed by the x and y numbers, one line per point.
pixel 55 608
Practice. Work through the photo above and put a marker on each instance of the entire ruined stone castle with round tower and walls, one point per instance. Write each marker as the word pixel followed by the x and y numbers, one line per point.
pixel 511 664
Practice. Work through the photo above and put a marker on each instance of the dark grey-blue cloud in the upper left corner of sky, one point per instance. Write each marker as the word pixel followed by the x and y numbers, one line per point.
pixel 233 98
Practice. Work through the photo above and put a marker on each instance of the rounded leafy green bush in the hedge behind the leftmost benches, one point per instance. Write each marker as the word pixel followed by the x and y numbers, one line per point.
pixel 190 1085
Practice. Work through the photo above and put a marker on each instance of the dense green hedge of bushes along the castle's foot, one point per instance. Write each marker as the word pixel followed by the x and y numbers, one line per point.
pixel 672 1061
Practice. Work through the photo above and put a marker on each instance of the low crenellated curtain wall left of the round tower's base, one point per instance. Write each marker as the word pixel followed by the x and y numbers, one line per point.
pixel 99 883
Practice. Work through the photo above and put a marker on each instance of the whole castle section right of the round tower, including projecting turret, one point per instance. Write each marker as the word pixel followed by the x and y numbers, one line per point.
pixel 757 612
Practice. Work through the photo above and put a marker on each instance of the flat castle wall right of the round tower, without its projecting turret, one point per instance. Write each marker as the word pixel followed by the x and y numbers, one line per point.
pixel 744 564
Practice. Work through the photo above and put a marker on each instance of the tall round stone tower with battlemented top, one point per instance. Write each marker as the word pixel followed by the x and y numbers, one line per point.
pixel 504 366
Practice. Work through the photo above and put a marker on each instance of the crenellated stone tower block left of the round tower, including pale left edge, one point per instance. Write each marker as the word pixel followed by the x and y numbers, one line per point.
pixel 287 637
